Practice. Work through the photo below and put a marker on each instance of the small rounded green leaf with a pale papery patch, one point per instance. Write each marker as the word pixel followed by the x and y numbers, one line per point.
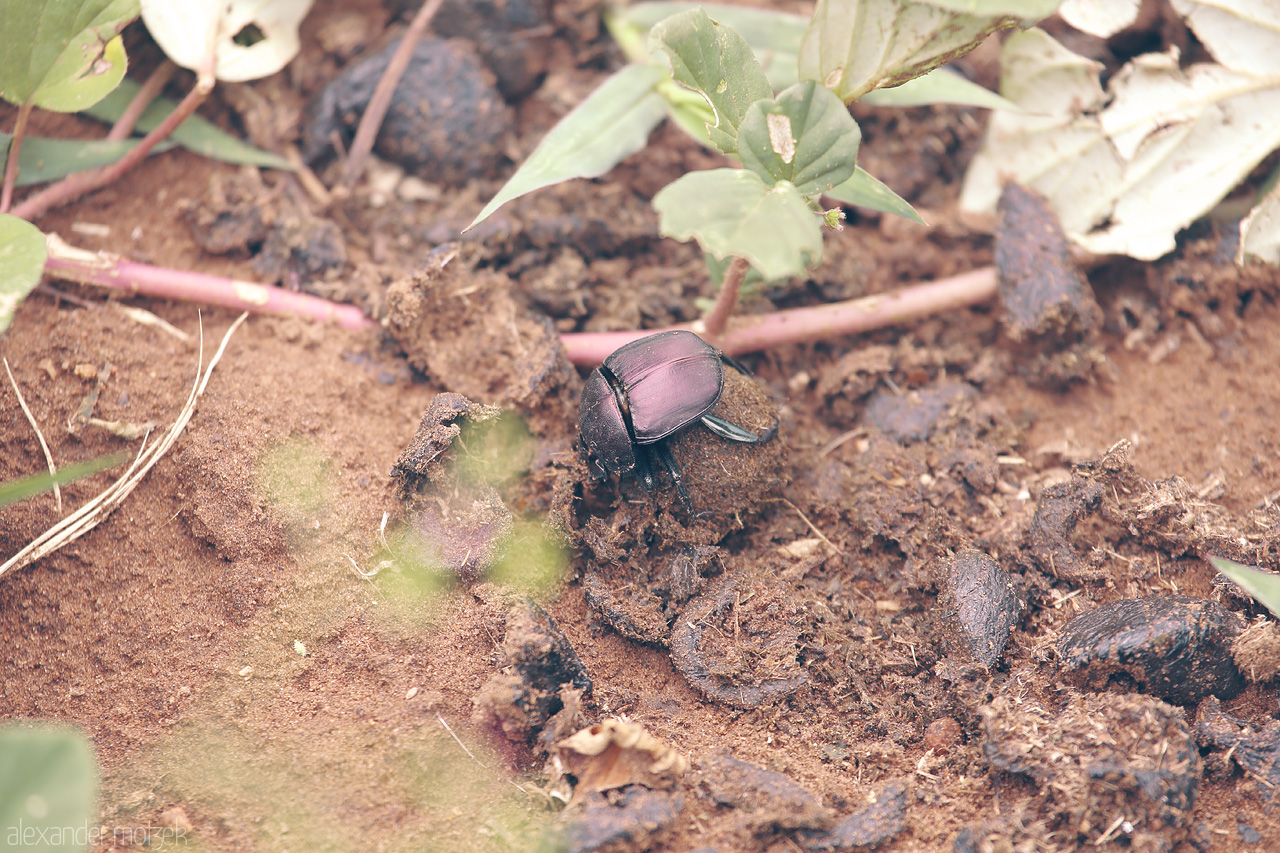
pixel 804 136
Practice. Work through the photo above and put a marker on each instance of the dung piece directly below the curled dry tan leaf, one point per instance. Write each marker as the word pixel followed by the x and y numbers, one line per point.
pixel 634 819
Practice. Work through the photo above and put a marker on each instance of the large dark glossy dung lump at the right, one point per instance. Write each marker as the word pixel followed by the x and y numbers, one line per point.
pixel 1176 647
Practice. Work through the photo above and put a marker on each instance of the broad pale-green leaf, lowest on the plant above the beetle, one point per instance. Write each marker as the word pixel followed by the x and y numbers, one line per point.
pixel 732 212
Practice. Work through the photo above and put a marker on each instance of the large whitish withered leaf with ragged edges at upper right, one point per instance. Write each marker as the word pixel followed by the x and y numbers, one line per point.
pixel 1126 171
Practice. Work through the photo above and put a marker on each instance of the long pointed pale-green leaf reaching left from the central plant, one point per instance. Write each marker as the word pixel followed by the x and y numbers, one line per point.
pixel 611 125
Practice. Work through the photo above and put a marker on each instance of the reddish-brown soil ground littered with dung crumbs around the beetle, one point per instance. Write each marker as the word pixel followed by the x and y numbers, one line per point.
pixel 243 641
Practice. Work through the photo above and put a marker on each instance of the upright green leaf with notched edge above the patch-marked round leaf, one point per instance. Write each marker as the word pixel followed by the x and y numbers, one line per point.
pixel 719 63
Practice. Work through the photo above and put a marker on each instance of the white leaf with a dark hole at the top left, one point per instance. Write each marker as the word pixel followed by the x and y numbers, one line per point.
pixel 252 39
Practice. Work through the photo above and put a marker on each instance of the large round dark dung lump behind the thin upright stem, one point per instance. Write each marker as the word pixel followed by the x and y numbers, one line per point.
pixel 446 122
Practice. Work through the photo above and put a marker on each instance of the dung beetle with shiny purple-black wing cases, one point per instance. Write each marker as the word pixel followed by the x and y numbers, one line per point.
pixel 648 391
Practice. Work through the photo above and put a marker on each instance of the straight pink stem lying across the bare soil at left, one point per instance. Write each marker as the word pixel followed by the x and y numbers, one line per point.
pixel 107 271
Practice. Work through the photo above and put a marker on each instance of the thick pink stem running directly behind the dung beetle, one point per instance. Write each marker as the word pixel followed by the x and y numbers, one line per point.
pixel 817 323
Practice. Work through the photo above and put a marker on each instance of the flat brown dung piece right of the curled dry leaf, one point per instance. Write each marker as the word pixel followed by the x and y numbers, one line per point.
pixel 766 801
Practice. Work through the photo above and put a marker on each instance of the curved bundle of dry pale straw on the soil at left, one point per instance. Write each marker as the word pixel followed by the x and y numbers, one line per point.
pixel 89 517
